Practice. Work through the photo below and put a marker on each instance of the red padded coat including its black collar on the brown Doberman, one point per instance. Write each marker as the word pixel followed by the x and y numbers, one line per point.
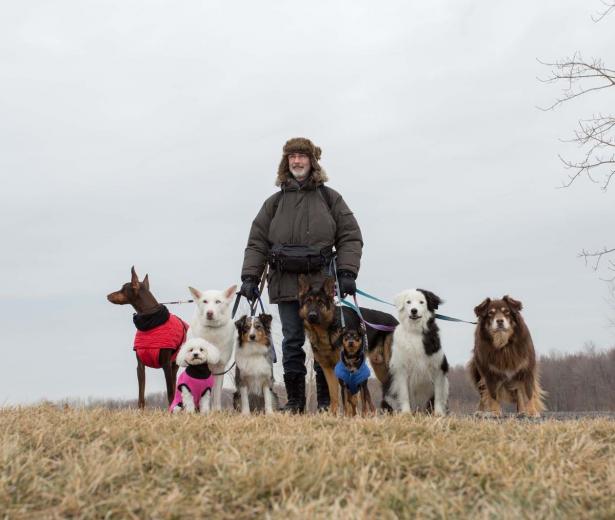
pixel 157 331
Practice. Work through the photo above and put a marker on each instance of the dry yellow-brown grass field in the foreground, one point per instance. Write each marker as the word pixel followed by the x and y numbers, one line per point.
pixel 98 463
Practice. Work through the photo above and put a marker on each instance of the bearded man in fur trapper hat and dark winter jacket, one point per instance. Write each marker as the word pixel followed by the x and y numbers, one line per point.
pixel 303 213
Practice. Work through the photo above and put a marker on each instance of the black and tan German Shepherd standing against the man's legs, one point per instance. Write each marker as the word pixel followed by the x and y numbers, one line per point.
pixel 321 320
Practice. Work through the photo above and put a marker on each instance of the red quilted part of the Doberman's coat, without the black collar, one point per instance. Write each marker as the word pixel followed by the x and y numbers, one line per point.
pixel 170 334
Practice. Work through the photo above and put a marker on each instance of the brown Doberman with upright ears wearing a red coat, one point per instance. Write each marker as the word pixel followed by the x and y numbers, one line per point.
pixel 159 335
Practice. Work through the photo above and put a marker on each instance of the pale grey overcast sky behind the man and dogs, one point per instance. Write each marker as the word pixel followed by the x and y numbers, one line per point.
pixel 149 133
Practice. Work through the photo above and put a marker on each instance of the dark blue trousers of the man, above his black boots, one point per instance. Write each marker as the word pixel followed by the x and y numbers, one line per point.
pixel 293 355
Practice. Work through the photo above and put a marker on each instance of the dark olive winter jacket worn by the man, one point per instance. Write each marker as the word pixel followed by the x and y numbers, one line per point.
pixel 302 217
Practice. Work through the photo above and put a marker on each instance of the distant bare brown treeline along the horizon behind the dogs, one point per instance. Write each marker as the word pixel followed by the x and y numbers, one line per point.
pixel 580 382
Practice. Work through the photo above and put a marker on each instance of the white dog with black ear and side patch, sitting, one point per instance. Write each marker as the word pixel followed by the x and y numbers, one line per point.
pixel 418 367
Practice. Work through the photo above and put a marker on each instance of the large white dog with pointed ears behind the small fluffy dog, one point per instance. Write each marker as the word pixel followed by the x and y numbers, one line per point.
pixel 212 322
